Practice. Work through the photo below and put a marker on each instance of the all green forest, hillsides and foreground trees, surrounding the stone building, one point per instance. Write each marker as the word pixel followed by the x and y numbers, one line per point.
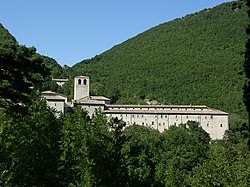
pixel 39 149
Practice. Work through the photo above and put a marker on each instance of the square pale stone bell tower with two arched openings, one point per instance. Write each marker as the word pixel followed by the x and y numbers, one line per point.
pixel 81 87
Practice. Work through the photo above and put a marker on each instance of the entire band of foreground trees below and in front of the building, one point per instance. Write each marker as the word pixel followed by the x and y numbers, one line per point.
pixel 39 149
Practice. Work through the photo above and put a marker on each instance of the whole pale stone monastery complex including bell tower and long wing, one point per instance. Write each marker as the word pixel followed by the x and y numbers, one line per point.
pixel 159 117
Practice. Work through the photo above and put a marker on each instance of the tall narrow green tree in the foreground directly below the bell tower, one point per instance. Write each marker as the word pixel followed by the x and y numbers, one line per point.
pixel 75 165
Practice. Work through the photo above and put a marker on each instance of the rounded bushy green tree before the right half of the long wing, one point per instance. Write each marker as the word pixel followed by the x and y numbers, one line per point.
pixel 182 149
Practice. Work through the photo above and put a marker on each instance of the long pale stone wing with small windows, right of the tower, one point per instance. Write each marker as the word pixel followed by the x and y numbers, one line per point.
pixel 161 117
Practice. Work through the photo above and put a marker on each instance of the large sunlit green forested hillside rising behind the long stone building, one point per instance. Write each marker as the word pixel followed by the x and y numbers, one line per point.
pixel 196 59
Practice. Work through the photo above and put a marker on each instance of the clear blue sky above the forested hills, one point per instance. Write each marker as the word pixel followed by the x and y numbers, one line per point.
pixel 72 31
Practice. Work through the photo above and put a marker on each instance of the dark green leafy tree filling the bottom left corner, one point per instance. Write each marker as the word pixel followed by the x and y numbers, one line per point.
pixel 29 146
